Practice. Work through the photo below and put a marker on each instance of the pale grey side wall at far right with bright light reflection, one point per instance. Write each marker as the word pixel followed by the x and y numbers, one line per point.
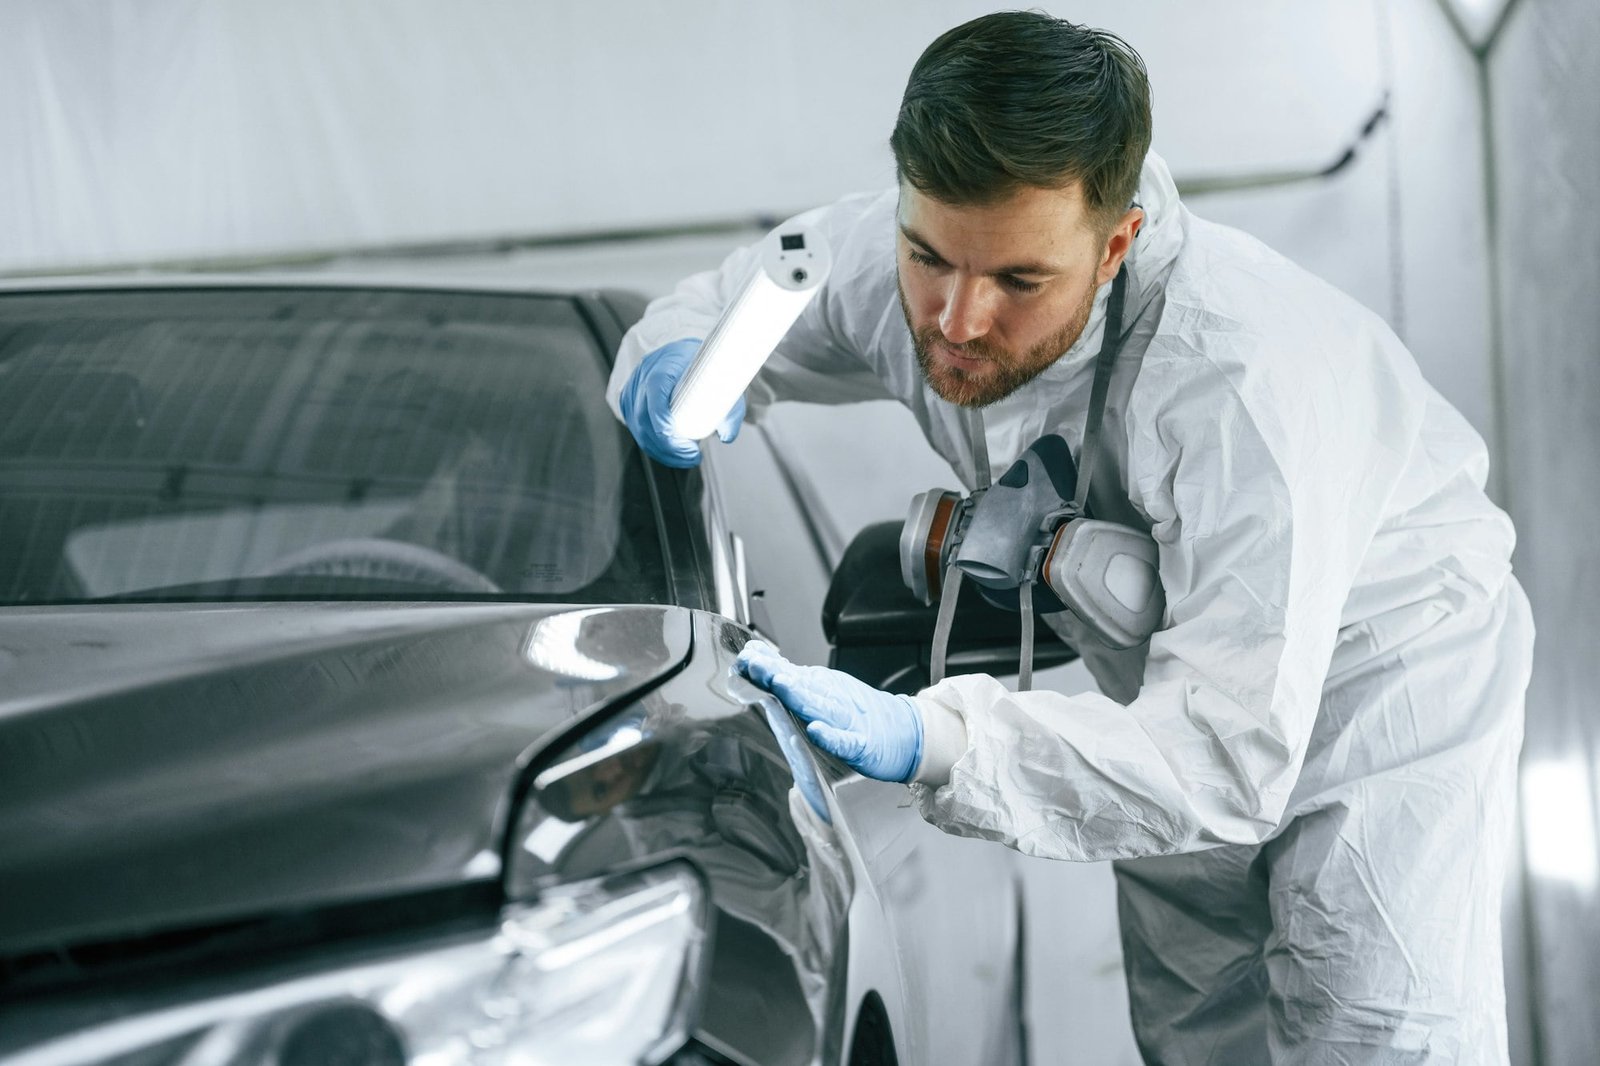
pixel 1545 86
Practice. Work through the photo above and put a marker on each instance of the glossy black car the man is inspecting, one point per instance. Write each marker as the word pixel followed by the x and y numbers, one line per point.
pixel 366 699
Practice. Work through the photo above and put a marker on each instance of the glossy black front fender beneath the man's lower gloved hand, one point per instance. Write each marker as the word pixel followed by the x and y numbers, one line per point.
pixel 713 771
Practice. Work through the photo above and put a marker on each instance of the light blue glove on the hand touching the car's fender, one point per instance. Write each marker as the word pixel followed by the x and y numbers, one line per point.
pixel 874 732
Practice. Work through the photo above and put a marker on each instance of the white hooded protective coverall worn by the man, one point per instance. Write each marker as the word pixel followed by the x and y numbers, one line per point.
pixel 1308 775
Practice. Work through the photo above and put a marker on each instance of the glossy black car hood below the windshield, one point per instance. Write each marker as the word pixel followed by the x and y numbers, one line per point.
pixel 175 766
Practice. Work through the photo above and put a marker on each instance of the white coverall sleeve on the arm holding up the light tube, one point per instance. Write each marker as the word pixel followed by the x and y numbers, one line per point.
pixel 818 361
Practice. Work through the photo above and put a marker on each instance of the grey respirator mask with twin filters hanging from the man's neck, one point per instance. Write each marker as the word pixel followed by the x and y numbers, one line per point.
pixel 1030 535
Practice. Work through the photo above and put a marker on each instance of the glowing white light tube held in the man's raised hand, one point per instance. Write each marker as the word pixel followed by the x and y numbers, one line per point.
pixel 793 265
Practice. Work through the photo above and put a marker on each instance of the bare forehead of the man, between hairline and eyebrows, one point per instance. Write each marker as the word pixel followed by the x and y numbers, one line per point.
pixel 1034 231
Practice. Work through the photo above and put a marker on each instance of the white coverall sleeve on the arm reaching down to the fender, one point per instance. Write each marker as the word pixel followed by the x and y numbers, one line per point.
pixel 1262 518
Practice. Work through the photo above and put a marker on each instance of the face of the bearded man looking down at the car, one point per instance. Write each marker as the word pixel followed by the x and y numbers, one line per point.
pixel 996 294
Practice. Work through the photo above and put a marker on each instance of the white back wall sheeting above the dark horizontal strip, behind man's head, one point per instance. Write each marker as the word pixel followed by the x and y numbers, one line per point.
pixel 167 130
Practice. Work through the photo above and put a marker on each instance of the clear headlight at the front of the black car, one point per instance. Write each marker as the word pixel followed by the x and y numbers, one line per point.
pixel 598 972
